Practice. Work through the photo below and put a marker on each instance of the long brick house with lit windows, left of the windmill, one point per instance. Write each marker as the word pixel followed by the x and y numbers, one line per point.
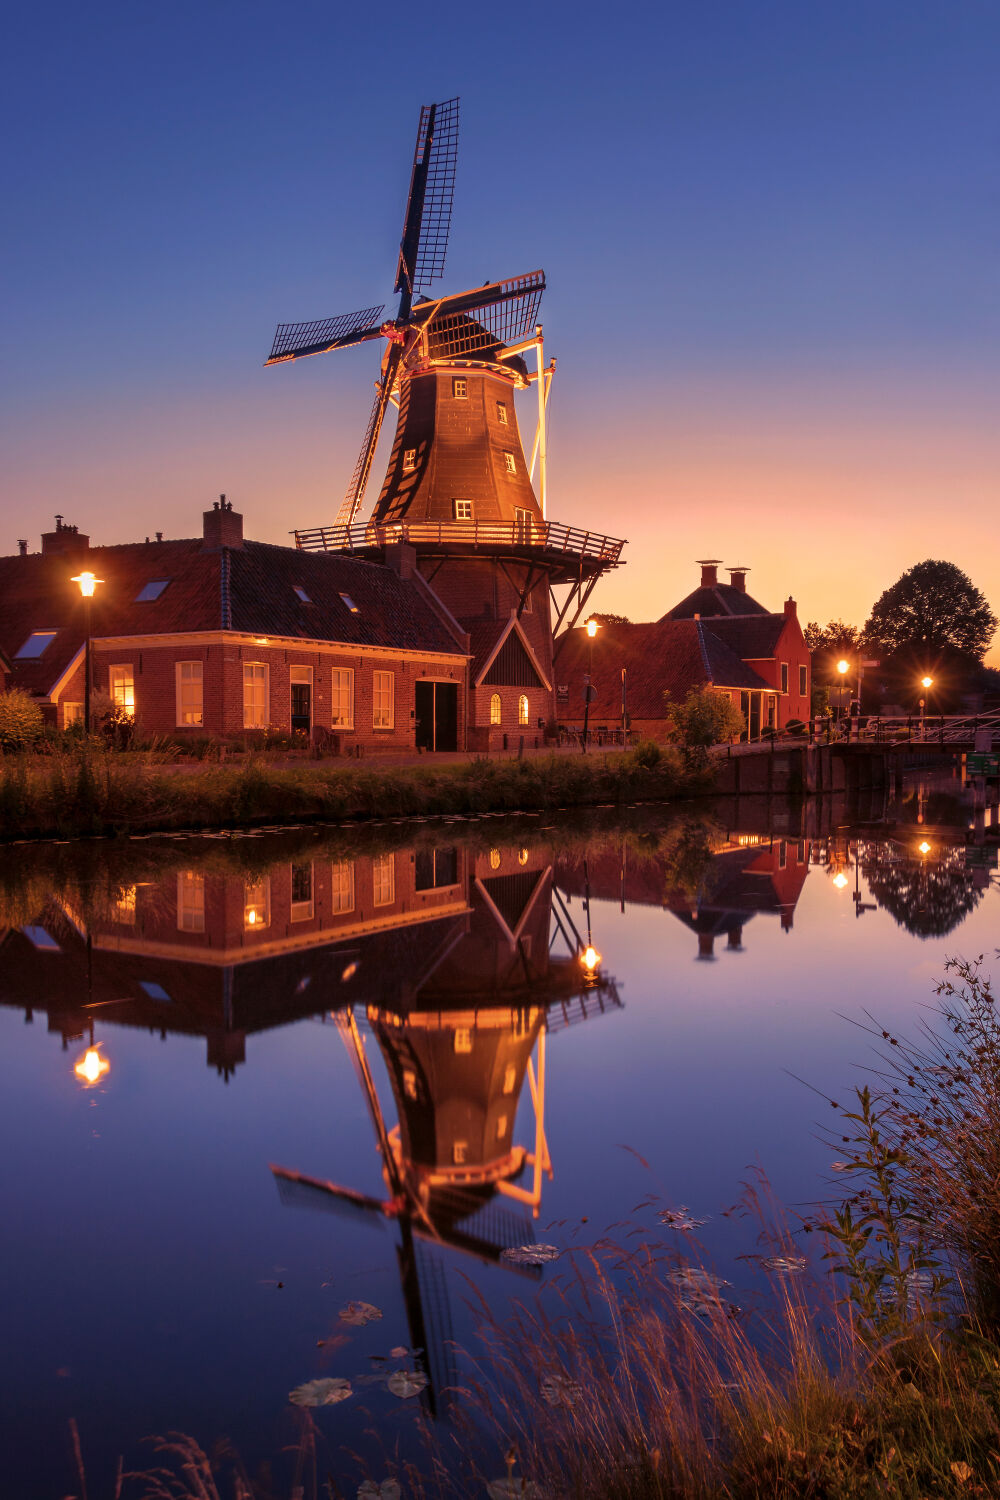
pixel 221 635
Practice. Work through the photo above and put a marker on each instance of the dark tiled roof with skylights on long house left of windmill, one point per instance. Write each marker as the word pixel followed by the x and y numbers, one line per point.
pixel 250 590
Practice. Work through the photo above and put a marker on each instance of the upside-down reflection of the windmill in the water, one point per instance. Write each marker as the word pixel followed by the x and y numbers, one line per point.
pixel 458 1049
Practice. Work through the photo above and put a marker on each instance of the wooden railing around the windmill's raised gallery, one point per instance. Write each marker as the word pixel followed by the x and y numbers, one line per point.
pixel 546 536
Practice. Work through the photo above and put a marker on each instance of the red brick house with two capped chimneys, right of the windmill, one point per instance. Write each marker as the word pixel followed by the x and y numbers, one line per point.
pixel 719 637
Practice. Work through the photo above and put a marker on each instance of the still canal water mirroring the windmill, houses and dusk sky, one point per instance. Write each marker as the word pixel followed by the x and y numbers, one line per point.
pixel 358 1066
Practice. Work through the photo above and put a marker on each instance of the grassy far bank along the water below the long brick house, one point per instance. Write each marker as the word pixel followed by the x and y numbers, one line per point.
pixel 97 791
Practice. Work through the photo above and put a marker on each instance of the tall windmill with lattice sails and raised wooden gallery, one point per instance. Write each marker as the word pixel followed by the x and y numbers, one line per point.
pixel 460 488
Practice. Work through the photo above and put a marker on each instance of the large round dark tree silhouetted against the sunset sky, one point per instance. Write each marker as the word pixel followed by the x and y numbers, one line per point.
pixel 935 607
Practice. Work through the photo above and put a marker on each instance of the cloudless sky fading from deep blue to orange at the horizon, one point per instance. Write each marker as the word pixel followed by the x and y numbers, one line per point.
pixel 770 230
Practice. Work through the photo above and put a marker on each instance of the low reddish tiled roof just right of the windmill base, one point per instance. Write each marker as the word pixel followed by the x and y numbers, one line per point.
pixel 668 656
